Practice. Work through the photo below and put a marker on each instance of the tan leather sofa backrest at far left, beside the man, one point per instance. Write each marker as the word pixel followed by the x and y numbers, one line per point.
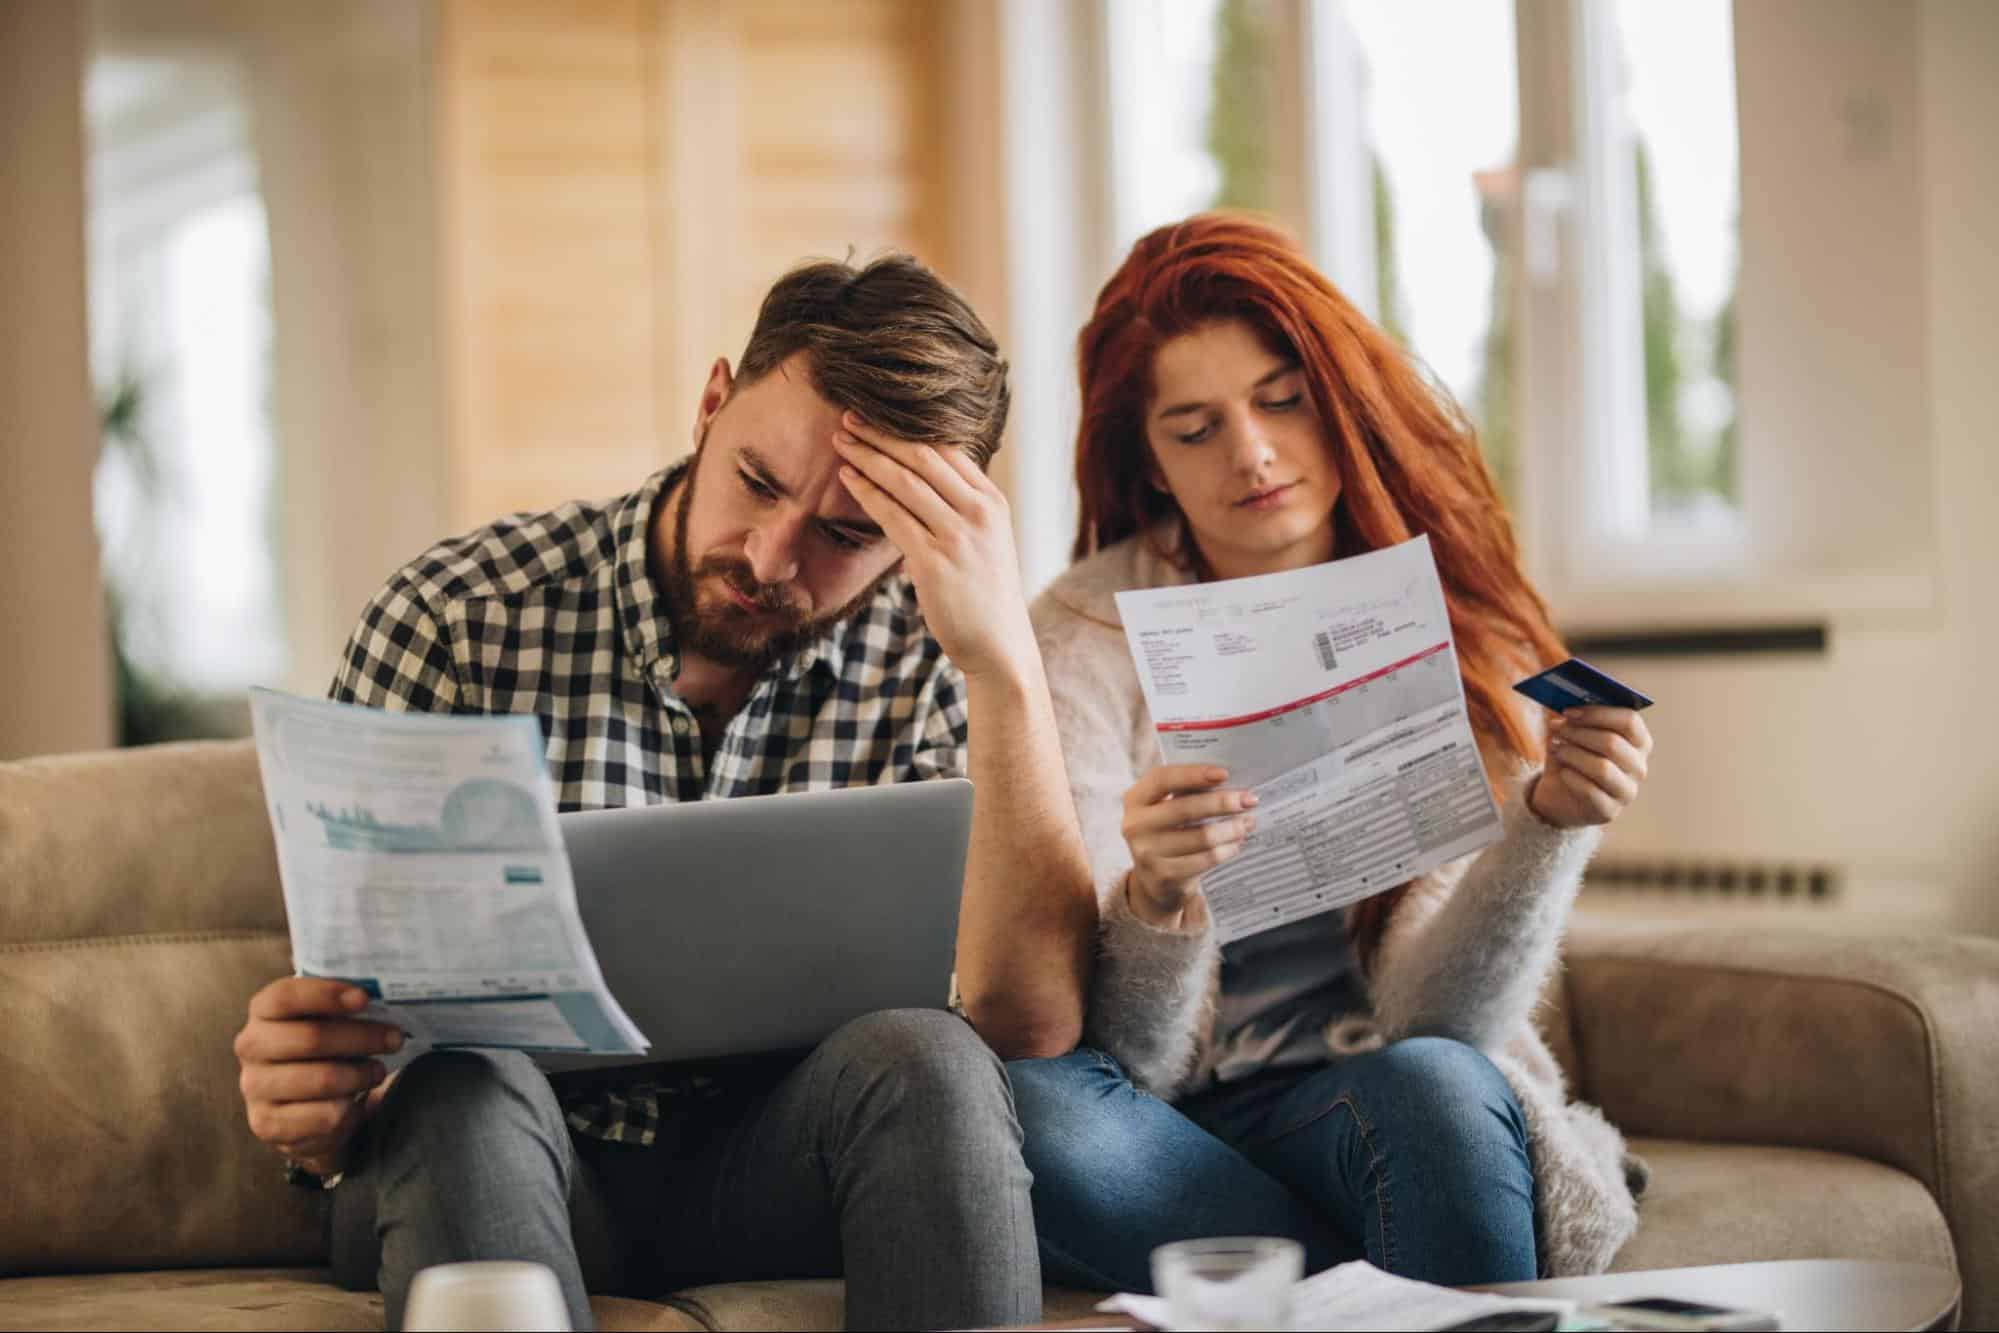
pixel 139 912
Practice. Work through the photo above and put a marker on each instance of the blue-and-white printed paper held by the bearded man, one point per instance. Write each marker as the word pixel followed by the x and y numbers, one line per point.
pixel 423 862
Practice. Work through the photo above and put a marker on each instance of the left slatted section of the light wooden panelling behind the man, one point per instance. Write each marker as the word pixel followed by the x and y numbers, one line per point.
pixel 547 177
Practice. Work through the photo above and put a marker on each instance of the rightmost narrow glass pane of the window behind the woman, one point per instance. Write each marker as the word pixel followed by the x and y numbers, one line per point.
pixel 1658 267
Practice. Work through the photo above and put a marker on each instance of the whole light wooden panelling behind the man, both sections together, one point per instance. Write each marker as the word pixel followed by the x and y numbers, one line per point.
pixel 623 183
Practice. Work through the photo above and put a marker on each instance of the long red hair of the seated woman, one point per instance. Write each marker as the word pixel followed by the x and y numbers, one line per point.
pixel 1408 457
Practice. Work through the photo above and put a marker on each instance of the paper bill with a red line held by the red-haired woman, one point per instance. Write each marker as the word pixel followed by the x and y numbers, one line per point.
pixel 1332 692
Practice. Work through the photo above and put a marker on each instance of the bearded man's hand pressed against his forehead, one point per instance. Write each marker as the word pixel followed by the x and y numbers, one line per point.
pixel 957 539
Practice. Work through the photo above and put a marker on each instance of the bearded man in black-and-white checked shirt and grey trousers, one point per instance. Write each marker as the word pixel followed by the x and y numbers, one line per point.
pixel 825 595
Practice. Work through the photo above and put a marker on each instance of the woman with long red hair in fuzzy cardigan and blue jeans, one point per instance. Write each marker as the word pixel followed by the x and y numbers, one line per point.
pixel 1366 1082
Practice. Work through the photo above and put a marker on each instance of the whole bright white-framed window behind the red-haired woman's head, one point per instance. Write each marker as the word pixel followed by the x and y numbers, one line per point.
pixel 1538 199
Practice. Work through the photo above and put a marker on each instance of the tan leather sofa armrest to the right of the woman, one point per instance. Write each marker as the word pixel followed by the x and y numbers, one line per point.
pixel 1886 1048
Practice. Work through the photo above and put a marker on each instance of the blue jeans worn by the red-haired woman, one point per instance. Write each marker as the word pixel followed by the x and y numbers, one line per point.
pixel 1412 1158
